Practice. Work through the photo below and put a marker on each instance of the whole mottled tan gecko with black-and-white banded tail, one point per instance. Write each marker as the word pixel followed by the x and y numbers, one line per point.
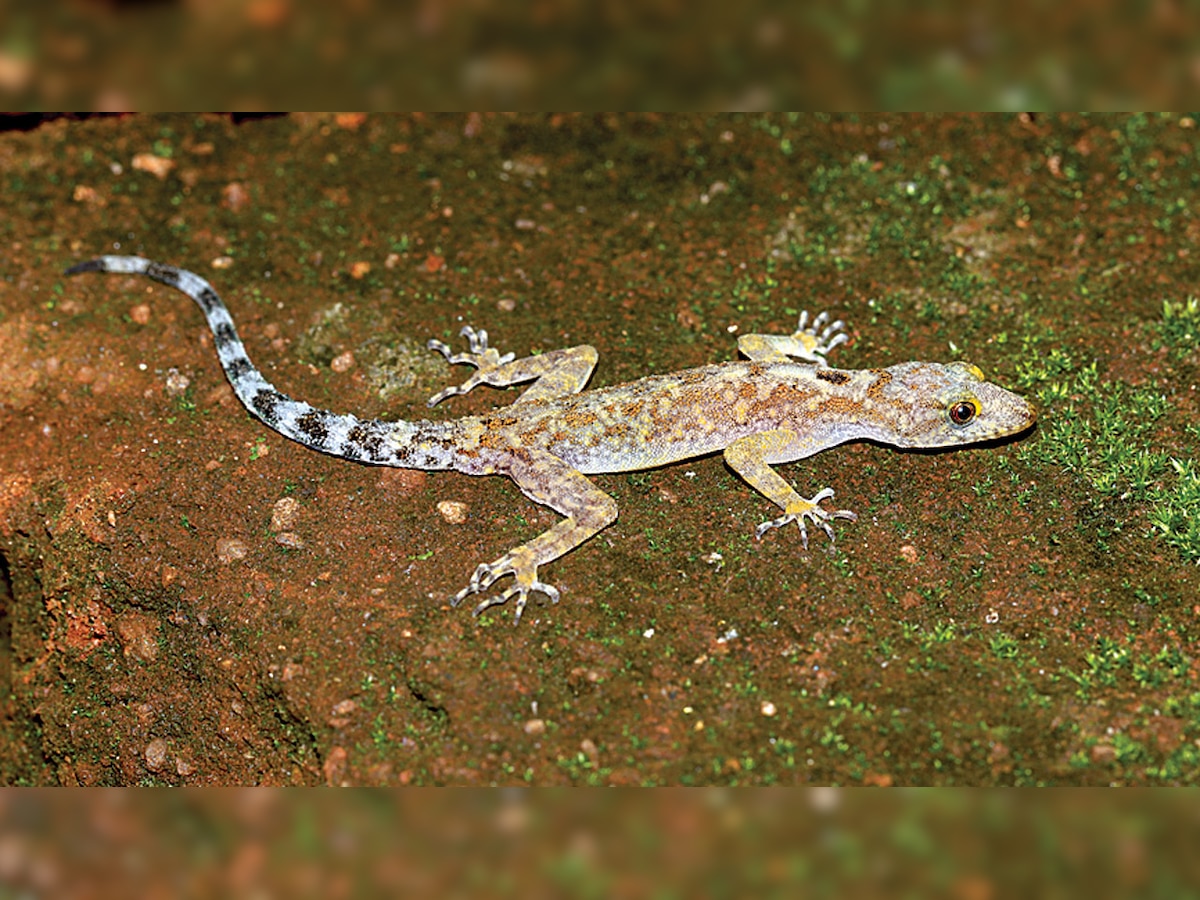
pixel 783 404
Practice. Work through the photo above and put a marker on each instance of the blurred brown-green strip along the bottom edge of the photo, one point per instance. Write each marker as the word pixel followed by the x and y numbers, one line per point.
pixel 611 844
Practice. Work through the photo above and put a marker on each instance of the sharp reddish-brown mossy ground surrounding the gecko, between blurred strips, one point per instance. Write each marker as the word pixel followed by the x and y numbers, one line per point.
pixel 190 599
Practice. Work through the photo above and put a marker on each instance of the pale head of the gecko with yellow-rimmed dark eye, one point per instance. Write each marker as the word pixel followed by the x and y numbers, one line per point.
pixel 953 404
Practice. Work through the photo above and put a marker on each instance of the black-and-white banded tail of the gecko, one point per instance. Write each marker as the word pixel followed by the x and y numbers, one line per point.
pixel 369 441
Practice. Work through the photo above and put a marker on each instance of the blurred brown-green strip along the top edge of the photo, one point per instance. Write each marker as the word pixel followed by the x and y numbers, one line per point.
pixel 632 55
